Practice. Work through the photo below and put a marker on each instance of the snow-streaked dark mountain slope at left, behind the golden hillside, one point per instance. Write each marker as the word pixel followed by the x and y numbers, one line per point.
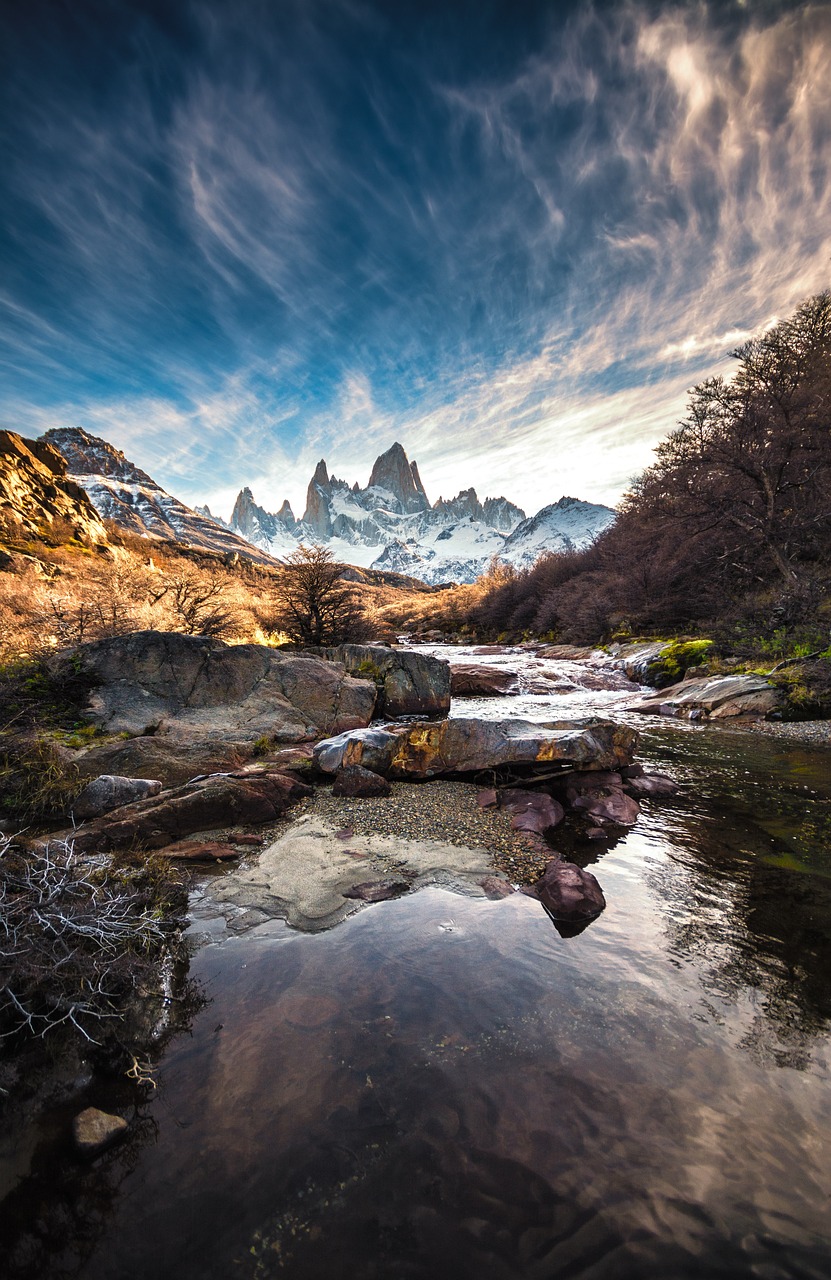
pixel 122 492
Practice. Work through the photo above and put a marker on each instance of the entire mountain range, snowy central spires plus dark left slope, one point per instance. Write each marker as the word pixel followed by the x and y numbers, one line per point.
pixel 390 525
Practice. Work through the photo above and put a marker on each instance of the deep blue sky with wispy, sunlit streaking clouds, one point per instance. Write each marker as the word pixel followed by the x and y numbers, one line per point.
pixel 238 236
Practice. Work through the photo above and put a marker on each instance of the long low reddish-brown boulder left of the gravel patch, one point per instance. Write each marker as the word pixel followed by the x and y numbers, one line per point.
pixel 220 801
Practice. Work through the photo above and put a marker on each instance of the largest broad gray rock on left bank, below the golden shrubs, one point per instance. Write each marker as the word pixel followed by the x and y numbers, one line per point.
pixel 193 688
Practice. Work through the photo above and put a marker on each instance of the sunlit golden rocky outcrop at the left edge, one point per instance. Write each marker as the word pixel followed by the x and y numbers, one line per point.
pixel 38 496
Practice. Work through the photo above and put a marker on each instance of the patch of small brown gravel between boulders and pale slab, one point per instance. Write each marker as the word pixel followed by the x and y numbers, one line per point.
pixel 437 811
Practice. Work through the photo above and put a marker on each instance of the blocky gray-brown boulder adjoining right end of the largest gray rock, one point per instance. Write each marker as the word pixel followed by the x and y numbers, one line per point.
pixel 409 684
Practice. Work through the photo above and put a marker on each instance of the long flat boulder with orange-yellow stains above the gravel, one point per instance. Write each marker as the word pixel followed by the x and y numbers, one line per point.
pixel 430 749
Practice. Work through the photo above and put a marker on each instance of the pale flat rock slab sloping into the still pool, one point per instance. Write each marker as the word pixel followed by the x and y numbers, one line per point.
pixel 304 877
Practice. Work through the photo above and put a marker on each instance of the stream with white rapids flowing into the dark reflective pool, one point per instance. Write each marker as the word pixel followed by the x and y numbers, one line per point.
pixel 444 1086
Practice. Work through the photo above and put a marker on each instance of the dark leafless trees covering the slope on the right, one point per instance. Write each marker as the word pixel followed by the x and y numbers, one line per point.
pixel 728 536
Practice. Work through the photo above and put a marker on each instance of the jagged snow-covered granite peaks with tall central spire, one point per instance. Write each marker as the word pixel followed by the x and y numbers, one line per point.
pixel 391 525
